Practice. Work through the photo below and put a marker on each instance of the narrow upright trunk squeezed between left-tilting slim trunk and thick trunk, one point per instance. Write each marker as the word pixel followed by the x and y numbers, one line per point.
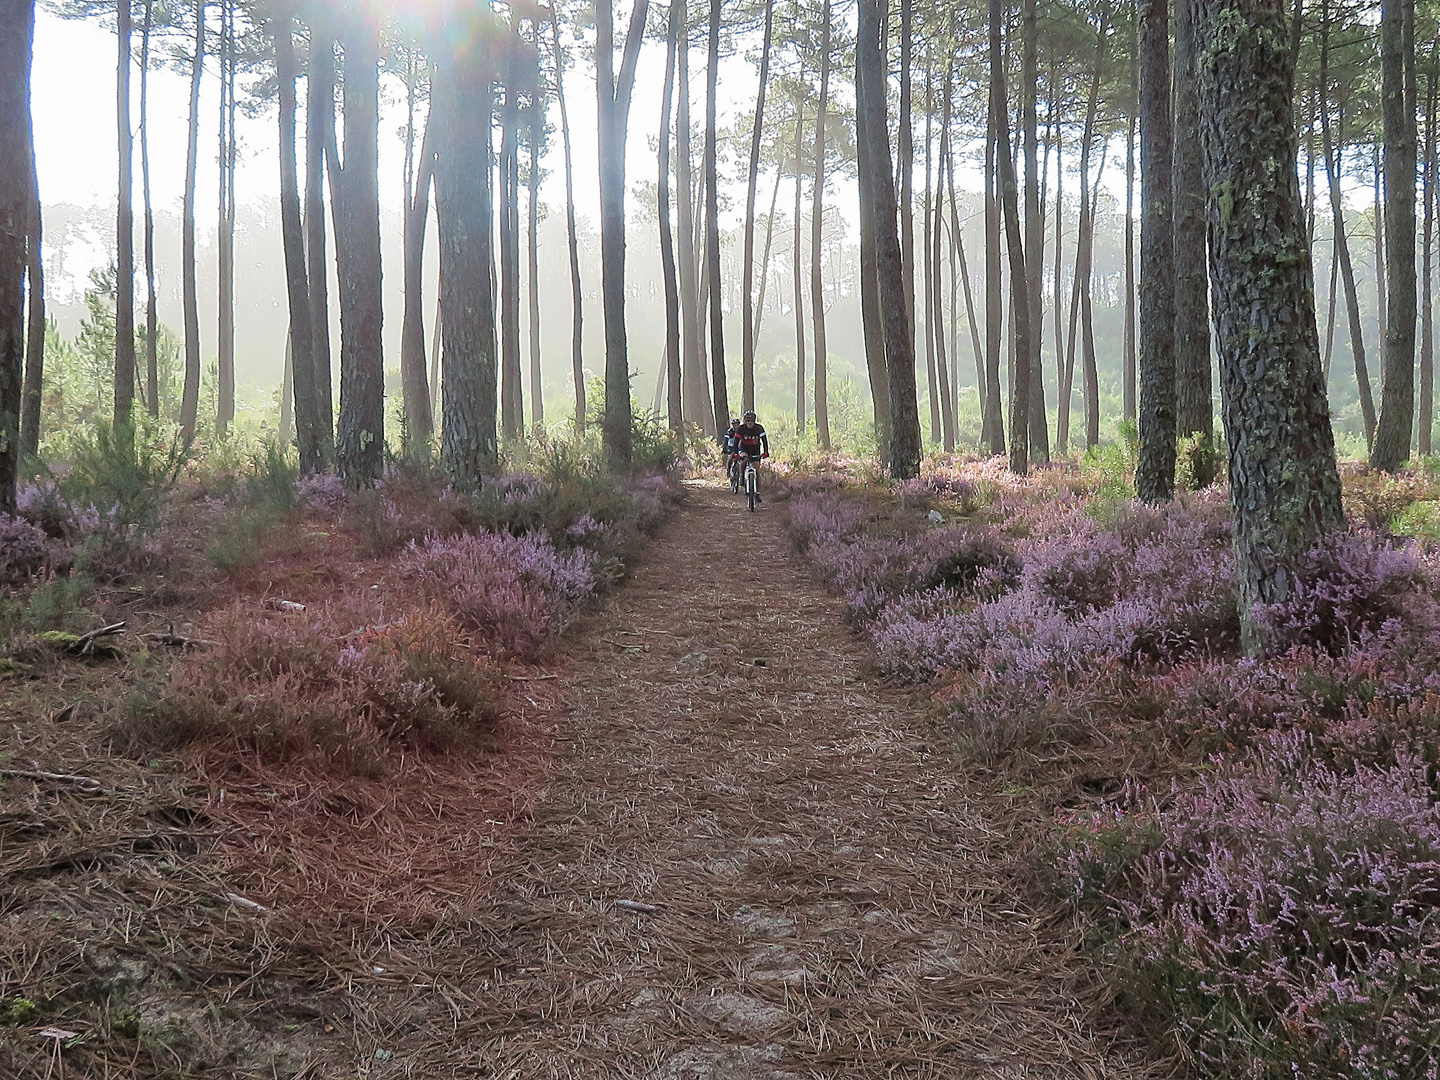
pixel 320 132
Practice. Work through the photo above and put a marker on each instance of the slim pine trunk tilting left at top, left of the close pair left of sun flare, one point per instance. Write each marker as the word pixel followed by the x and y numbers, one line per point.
pixel 309 428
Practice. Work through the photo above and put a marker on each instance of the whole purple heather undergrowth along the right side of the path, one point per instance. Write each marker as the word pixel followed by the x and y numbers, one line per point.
pixel 1262 878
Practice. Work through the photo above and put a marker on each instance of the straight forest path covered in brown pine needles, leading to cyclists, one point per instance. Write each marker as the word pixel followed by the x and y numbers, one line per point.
pixel 833 899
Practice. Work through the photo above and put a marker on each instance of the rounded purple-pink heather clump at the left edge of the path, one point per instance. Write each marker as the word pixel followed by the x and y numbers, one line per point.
pixel 516 591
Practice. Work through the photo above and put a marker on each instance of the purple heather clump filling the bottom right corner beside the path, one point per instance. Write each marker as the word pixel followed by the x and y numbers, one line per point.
pixel 1281 917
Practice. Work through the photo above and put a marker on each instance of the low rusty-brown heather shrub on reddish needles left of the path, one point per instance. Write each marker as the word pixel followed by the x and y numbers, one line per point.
pixel 290 690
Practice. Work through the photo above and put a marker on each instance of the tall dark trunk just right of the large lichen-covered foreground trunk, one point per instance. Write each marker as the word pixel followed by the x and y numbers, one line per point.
pixel 1398 407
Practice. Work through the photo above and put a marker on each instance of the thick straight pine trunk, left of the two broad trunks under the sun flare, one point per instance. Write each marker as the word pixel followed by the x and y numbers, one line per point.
pixel 361 447
